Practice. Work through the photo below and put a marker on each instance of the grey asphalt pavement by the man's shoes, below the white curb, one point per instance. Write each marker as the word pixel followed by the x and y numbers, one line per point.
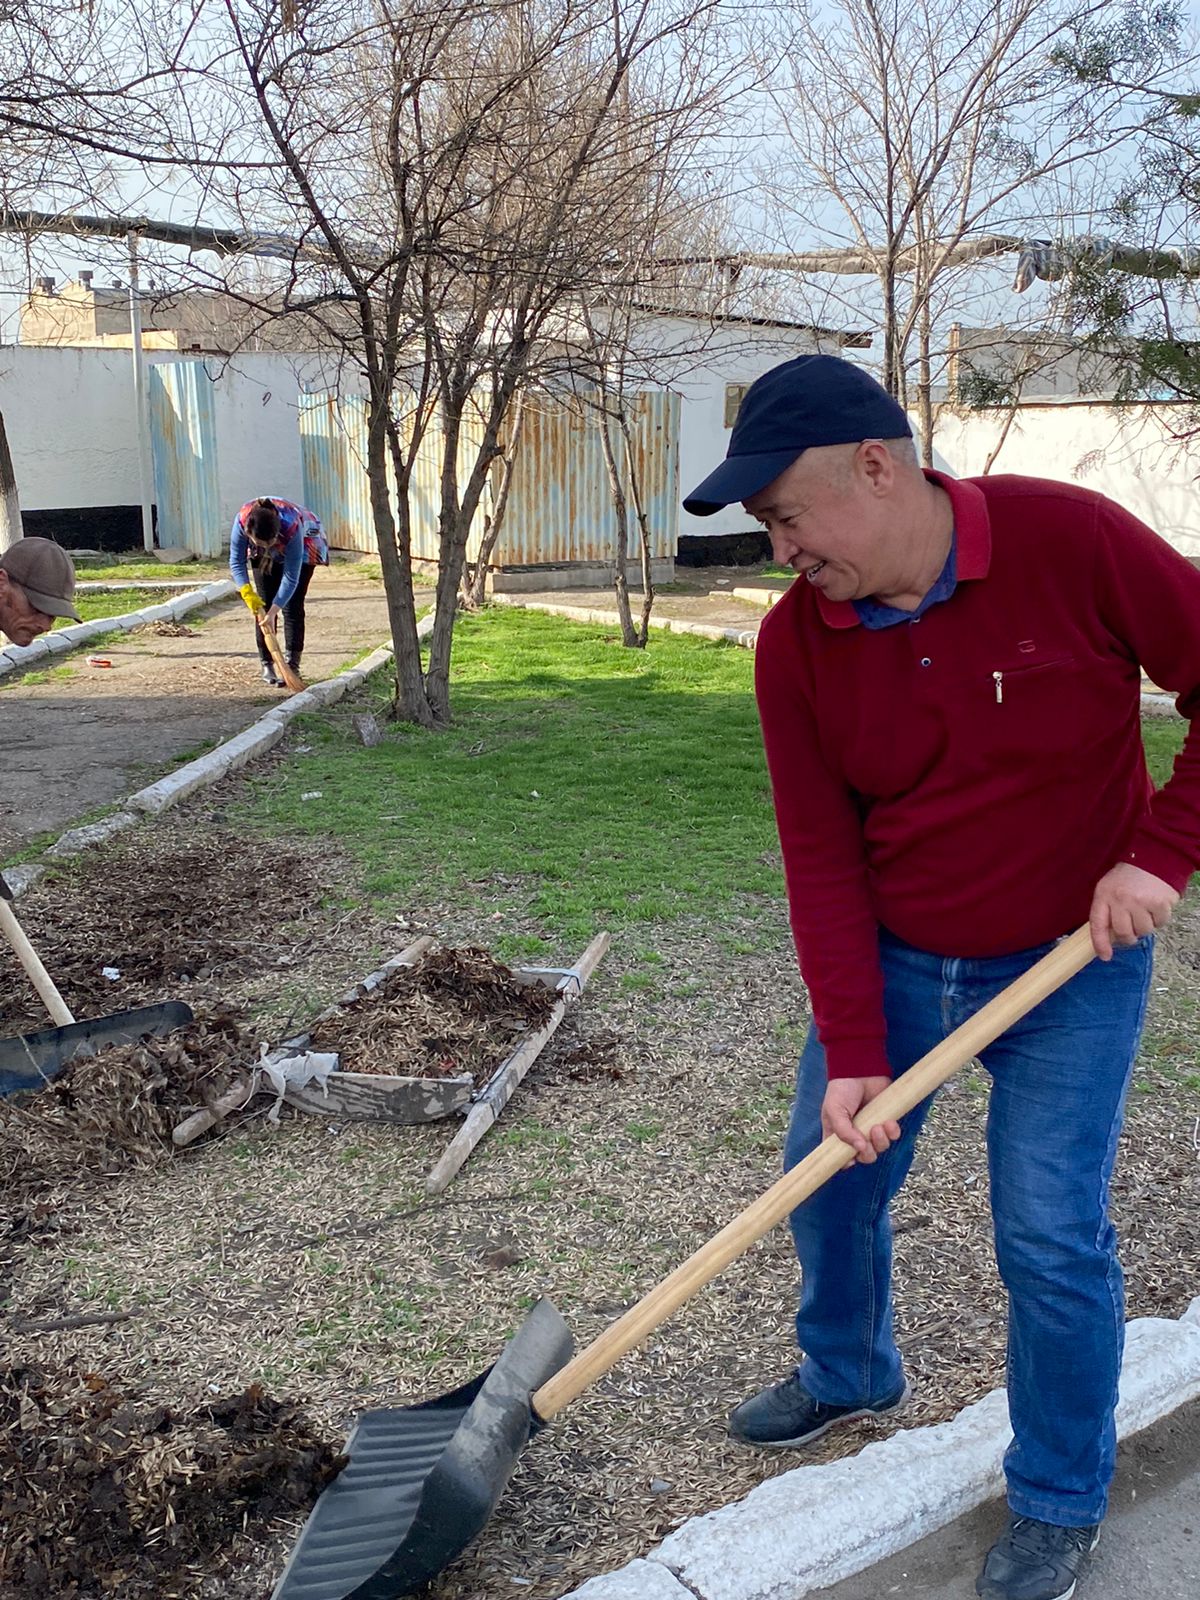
pixel 1151 1542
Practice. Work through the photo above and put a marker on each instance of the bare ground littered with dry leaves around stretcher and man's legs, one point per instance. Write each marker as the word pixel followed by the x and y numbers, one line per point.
pixel 306 1258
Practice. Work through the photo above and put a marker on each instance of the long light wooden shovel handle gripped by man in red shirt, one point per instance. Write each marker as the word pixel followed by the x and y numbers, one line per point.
pixel 828 1159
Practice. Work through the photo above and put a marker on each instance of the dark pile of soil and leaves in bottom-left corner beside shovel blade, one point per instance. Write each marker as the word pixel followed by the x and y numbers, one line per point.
pixel 110 1494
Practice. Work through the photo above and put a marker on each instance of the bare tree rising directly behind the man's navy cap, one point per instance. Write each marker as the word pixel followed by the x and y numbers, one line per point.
pixel 916 130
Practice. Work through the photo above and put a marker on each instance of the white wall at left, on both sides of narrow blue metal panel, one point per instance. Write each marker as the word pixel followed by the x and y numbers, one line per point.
pixel 71 425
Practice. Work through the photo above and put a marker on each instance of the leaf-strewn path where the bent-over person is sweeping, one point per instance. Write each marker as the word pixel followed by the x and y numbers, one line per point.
pixel 78 738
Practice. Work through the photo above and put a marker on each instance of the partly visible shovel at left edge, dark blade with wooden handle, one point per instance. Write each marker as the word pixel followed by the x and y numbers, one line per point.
pixel 33 1060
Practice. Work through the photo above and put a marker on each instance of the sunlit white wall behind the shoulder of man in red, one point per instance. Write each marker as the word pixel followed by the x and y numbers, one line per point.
pixel 1129 454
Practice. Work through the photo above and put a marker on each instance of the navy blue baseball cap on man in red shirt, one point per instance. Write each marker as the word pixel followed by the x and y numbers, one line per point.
pixel 812 401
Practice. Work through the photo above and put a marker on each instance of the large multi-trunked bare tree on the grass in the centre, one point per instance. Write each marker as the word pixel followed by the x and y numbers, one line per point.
pixel 466 170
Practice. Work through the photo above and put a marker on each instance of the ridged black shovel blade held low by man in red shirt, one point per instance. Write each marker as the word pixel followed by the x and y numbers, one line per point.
pixel 425 1479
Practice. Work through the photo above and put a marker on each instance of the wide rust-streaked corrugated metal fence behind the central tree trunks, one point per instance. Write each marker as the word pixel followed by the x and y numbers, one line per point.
pixel 559 503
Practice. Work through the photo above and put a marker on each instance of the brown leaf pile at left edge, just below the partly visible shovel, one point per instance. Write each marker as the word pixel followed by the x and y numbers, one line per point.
pixel 116 1110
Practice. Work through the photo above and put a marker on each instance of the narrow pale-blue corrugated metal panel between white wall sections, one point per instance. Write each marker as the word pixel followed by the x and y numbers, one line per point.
pixel 183 444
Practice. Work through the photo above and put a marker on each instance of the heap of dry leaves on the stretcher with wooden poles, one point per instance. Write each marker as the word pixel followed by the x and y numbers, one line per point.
pixel 458 1012
